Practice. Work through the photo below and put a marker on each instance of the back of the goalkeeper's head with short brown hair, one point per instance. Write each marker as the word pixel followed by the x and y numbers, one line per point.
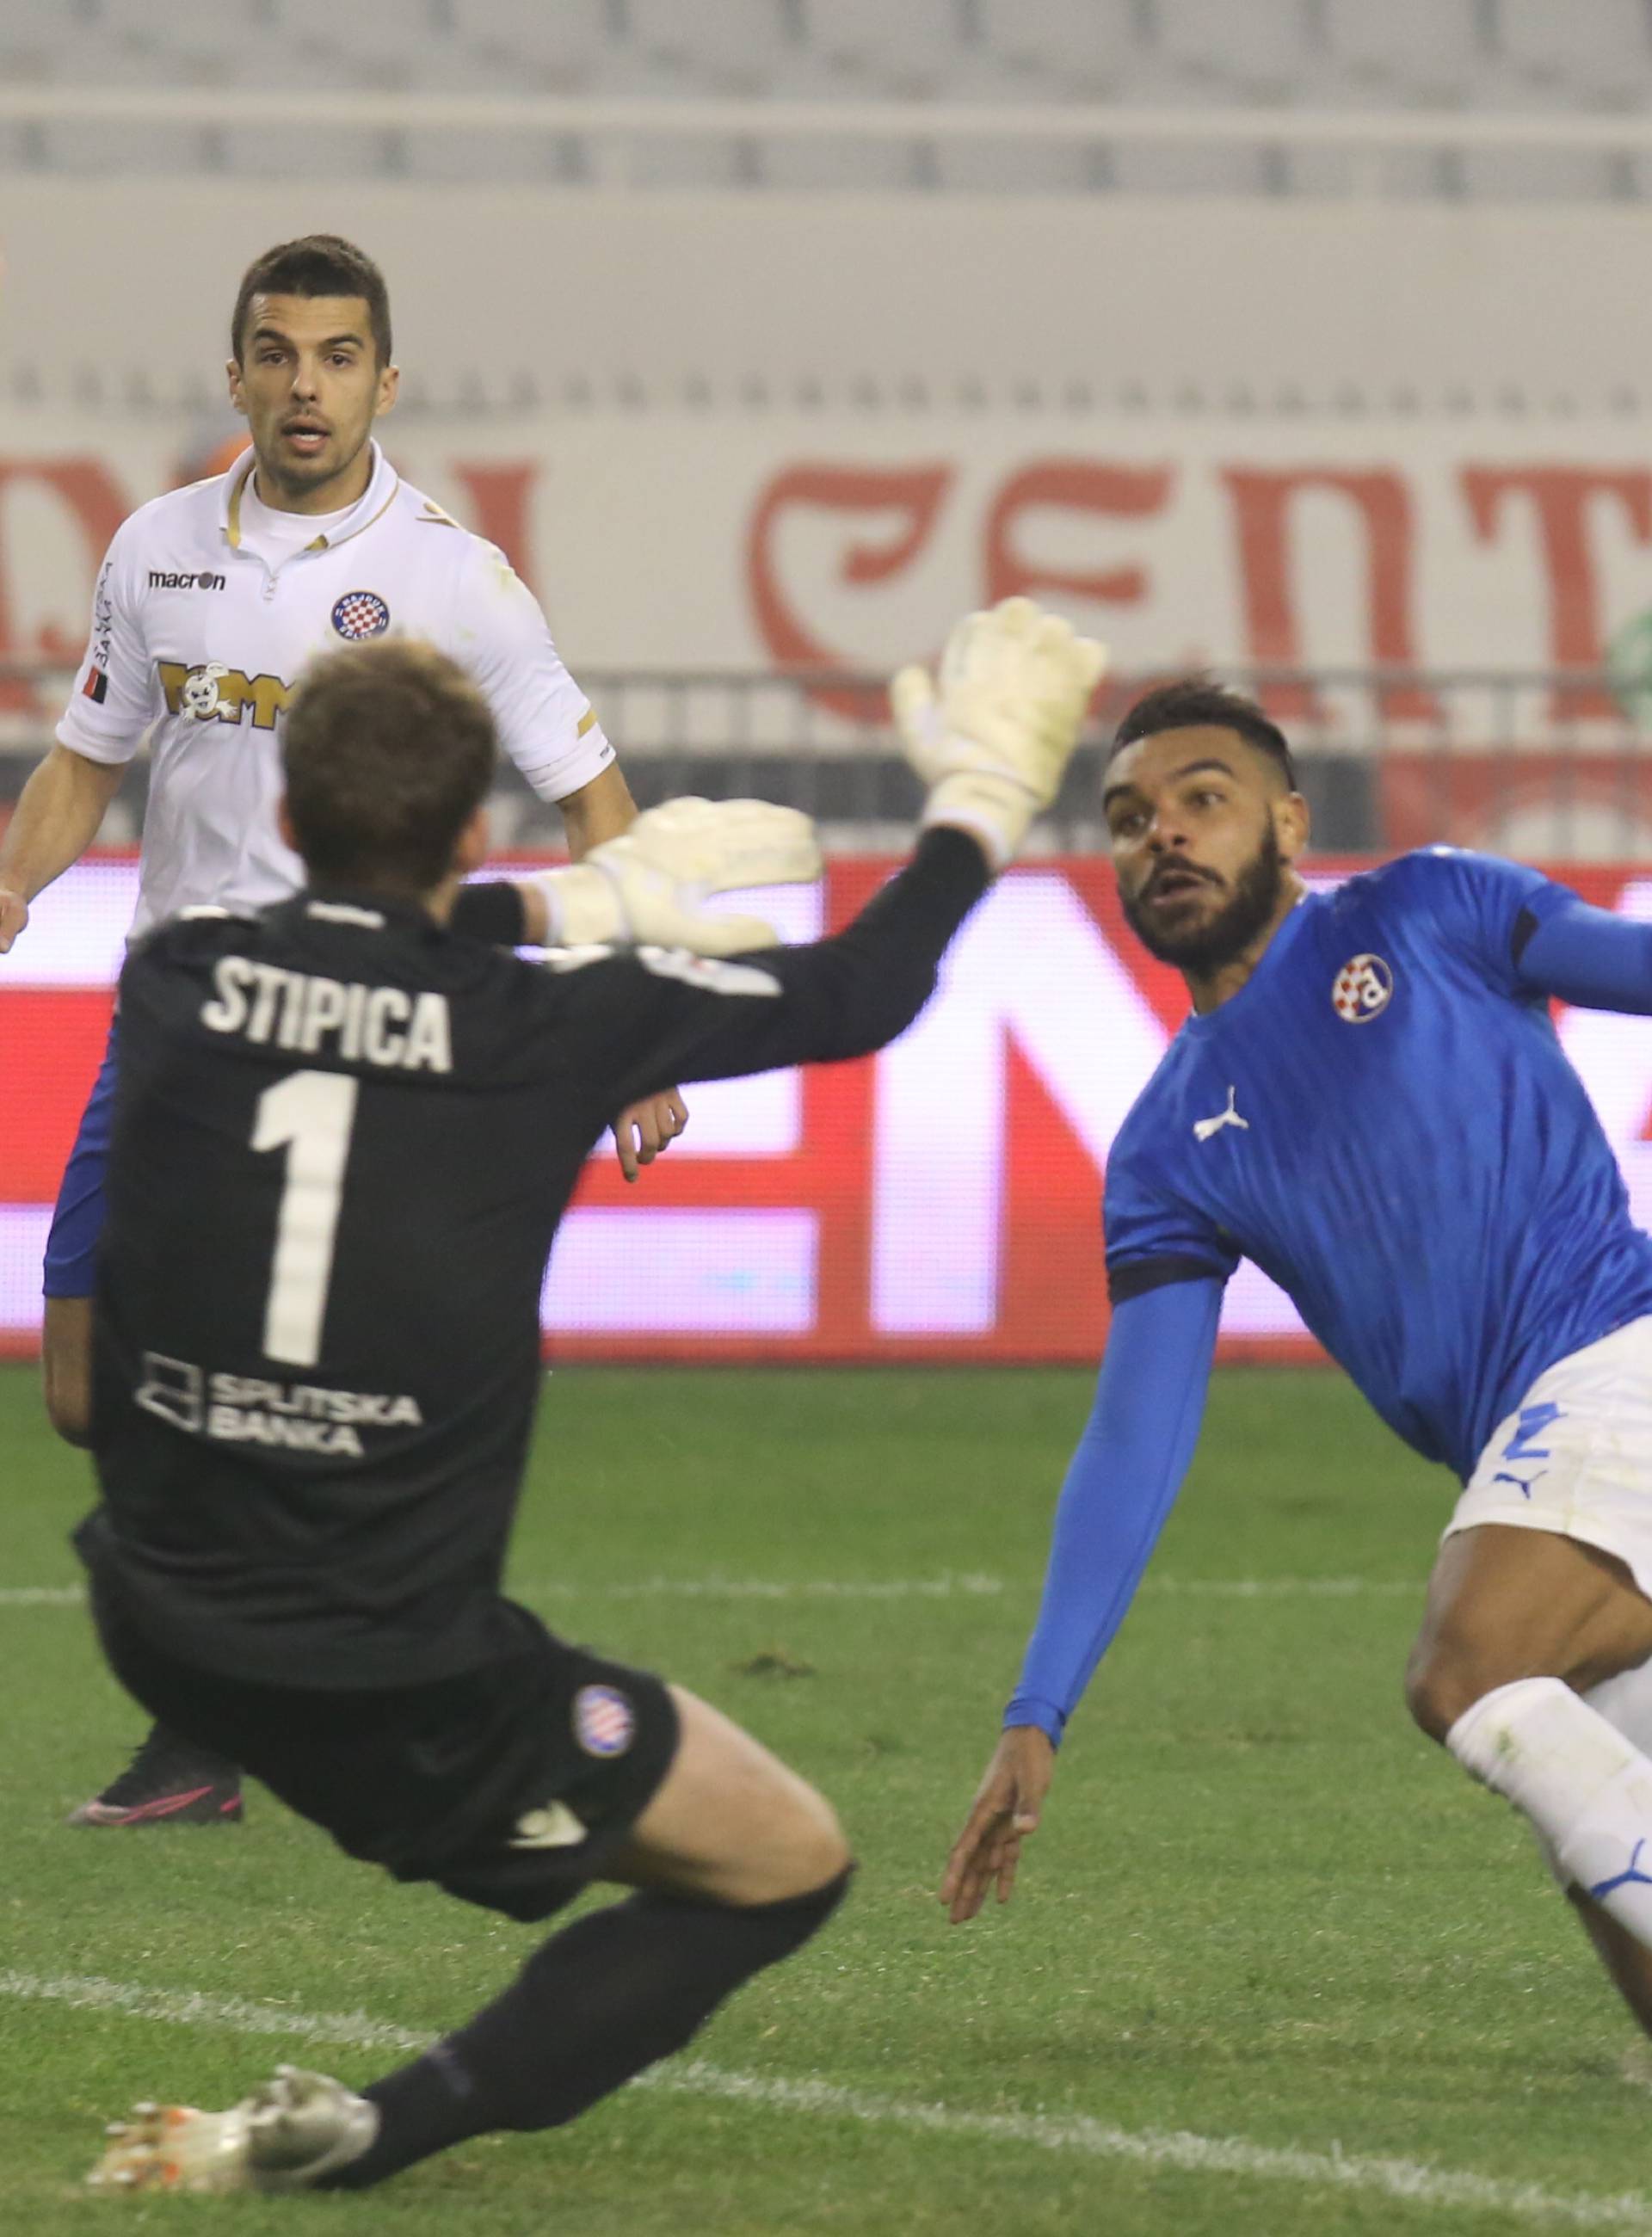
pixel 388 755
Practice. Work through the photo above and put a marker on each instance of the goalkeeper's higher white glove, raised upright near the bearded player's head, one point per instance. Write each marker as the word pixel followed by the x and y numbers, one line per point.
pixel 995 742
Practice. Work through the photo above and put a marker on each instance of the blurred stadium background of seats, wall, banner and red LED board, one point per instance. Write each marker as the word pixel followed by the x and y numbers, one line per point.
pixel 1304 339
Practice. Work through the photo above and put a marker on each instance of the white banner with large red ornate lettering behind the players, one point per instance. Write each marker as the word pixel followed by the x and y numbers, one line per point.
pixel 841 545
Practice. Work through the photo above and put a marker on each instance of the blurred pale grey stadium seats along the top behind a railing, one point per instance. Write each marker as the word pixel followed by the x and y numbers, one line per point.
pixel 1449 57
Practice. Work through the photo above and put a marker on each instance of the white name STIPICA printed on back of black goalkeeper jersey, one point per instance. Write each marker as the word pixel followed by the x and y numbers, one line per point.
pixel 299 1010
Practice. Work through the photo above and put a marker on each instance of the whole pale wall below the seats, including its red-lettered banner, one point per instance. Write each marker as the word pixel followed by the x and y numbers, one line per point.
pixel 753 433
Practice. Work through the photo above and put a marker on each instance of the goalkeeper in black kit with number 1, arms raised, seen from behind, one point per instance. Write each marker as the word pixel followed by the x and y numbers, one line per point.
pixel 344 1142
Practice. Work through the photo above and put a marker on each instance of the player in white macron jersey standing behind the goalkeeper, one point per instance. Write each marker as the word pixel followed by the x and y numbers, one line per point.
pixel 209 605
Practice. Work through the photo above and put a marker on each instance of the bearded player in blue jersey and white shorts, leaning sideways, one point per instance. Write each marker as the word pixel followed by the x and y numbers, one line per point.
pixel 1371 1104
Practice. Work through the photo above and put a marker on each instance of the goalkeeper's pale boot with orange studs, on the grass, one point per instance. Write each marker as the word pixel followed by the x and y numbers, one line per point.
pixel 288 2135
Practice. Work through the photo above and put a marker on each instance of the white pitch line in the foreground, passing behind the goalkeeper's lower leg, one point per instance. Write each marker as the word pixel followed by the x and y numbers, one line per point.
pixel 1407 2180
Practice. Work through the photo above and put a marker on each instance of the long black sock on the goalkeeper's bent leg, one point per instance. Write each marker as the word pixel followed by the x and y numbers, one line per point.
pixel 597 2005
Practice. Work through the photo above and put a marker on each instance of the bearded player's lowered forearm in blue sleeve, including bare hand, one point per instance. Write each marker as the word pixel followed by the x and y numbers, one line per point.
pixel 1120 1489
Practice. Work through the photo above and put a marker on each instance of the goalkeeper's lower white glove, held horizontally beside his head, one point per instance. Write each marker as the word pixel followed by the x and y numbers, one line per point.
pixel 650 885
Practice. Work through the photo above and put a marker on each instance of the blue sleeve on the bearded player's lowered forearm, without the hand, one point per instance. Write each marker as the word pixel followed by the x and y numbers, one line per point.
pixel 1120 1486
